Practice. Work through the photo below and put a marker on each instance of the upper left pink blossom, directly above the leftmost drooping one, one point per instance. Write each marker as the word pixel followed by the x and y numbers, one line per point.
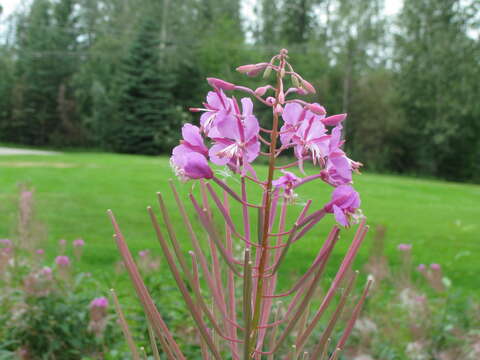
pixel 217 108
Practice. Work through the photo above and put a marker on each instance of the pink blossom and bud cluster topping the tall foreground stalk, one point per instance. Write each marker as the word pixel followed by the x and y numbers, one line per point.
pixel 229 135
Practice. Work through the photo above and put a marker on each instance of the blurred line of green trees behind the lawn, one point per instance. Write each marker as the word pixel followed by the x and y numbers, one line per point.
pixel 120 74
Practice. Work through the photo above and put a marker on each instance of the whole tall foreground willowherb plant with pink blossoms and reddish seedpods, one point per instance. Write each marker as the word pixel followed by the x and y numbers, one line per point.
pixel 232 296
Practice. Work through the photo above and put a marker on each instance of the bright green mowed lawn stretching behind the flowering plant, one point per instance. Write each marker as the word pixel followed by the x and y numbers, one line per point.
pixel 74 190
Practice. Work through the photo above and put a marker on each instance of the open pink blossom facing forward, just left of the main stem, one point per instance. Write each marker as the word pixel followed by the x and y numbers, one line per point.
pixel 236 143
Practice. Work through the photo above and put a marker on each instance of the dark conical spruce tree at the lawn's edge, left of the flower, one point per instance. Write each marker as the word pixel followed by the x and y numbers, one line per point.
pixel 147 120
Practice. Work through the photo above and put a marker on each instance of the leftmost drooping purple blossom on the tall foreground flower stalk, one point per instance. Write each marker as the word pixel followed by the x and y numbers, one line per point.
pixel 188 159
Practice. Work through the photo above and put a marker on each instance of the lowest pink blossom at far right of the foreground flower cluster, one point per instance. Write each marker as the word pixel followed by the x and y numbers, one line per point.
pixel 344 203
